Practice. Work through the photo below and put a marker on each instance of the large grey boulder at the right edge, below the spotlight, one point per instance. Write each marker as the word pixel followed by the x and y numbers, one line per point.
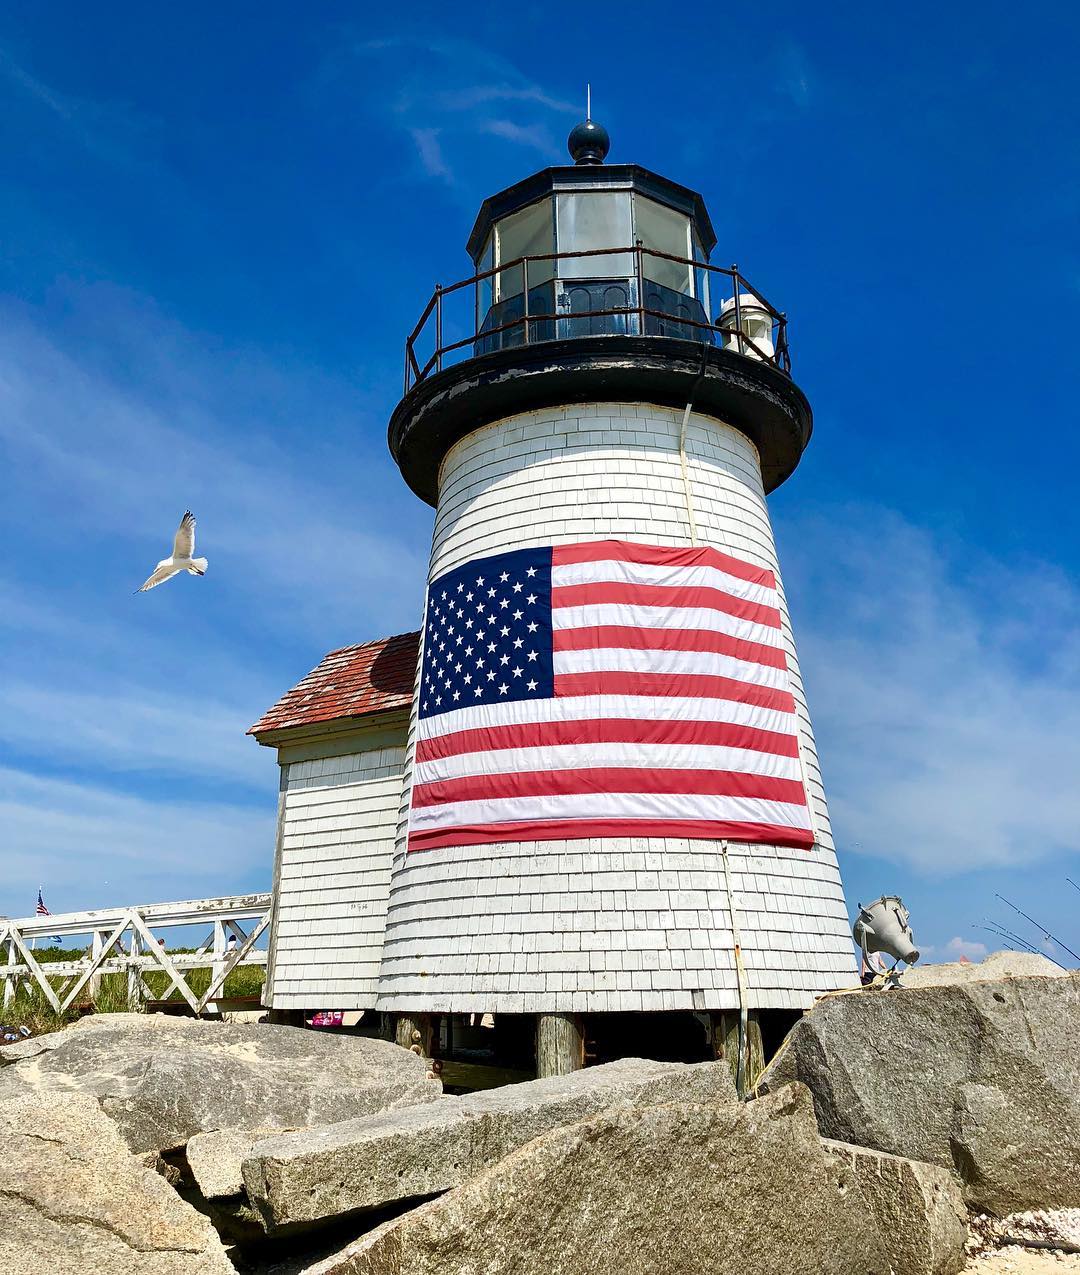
pixel 981 1078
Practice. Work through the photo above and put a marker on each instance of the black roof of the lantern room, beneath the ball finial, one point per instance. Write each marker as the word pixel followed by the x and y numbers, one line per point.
pixel 604 177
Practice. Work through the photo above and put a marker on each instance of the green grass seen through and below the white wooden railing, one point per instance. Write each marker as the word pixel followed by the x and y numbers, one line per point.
pixel 31 1009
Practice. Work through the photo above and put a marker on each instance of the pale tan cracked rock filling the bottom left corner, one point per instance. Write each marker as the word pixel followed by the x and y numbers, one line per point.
pixel 73 1199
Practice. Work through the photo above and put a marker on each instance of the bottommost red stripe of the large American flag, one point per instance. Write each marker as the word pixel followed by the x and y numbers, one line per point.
pixel 571 829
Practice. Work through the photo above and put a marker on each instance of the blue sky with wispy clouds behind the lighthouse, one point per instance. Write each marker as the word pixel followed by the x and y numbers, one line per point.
pixel 217 226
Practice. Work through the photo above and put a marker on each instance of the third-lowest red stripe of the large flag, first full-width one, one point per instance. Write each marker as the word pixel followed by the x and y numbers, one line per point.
pixel 539 735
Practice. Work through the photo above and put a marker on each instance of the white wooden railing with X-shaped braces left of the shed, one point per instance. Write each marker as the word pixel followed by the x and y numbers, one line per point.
pixel 123 942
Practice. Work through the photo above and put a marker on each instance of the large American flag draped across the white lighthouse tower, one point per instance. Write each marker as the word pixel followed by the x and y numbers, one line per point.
pixel 606 689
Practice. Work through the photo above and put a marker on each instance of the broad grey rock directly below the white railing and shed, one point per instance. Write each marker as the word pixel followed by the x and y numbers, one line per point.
pixel 164 1079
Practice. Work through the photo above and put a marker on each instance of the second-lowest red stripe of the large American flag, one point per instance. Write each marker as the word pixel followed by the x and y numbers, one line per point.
pixel 609 780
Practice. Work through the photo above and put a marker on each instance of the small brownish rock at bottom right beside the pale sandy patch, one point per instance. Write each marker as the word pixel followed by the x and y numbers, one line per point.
pixel 917 1209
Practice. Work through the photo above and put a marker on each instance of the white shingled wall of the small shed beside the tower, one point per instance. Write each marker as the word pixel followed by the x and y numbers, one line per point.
pixel 339 817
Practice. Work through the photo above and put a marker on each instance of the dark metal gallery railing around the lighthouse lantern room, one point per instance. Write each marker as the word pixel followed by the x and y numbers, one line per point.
pixel 442 337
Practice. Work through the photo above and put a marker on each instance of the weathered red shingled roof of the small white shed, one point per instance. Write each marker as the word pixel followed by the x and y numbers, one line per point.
pixel 354 681
